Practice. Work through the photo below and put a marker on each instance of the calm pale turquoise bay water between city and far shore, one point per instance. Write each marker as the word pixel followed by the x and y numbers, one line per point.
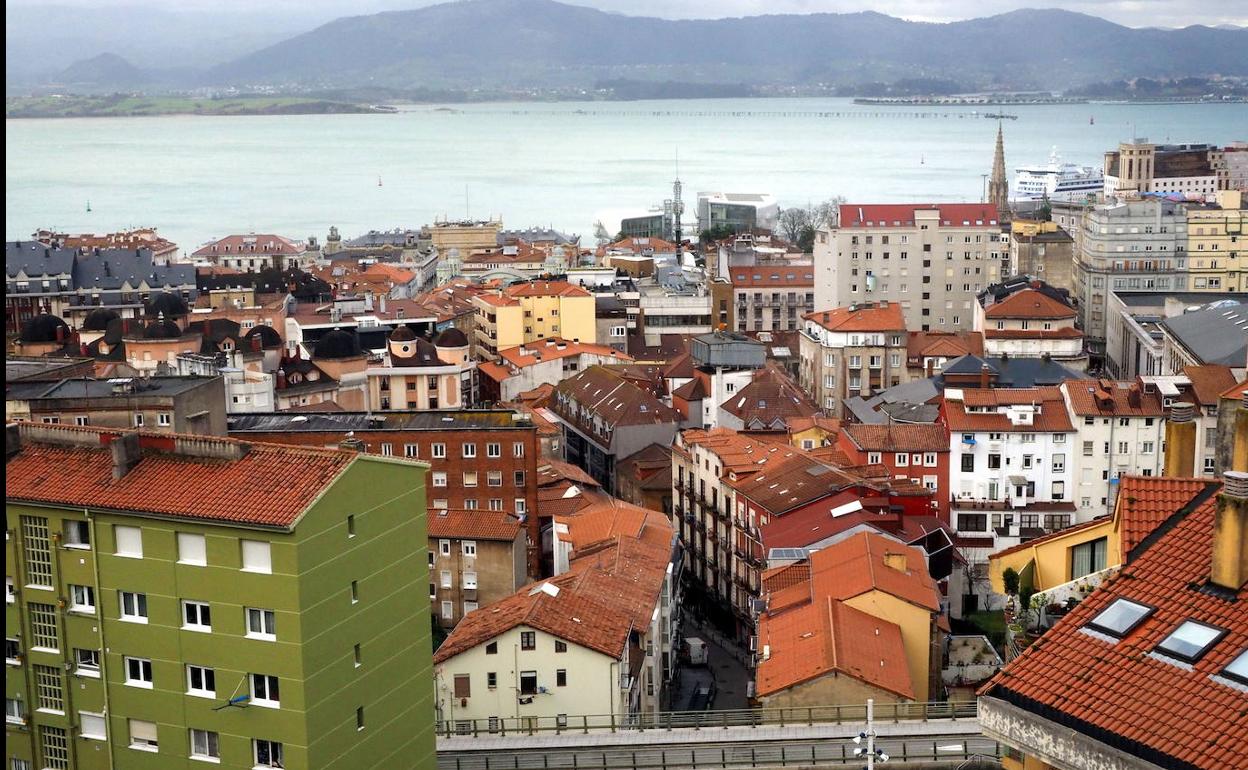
pixel 534 164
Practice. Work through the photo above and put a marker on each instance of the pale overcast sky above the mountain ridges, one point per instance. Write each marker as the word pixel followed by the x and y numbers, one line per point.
pixel 1131 13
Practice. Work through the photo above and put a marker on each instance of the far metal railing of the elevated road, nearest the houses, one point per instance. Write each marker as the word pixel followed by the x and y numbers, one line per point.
pixel 707 721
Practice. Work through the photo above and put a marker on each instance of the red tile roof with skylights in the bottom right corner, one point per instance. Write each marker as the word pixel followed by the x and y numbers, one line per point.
pixel 1121 692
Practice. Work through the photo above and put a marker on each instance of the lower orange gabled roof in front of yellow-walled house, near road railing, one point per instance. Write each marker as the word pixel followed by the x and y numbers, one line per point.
pixel 832 637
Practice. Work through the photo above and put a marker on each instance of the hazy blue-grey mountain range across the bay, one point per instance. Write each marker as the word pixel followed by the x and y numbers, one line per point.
pixel 547 46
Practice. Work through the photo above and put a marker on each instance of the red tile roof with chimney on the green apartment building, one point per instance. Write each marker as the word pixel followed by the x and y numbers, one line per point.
pixel 269 486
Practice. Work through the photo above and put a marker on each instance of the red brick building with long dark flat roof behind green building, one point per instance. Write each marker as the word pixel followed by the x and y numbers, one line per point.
pixel 480 460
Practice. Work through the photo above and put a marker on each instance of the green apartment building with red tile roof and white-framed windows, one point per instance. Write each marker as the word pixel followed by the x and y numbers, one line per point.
pixel 175 601
